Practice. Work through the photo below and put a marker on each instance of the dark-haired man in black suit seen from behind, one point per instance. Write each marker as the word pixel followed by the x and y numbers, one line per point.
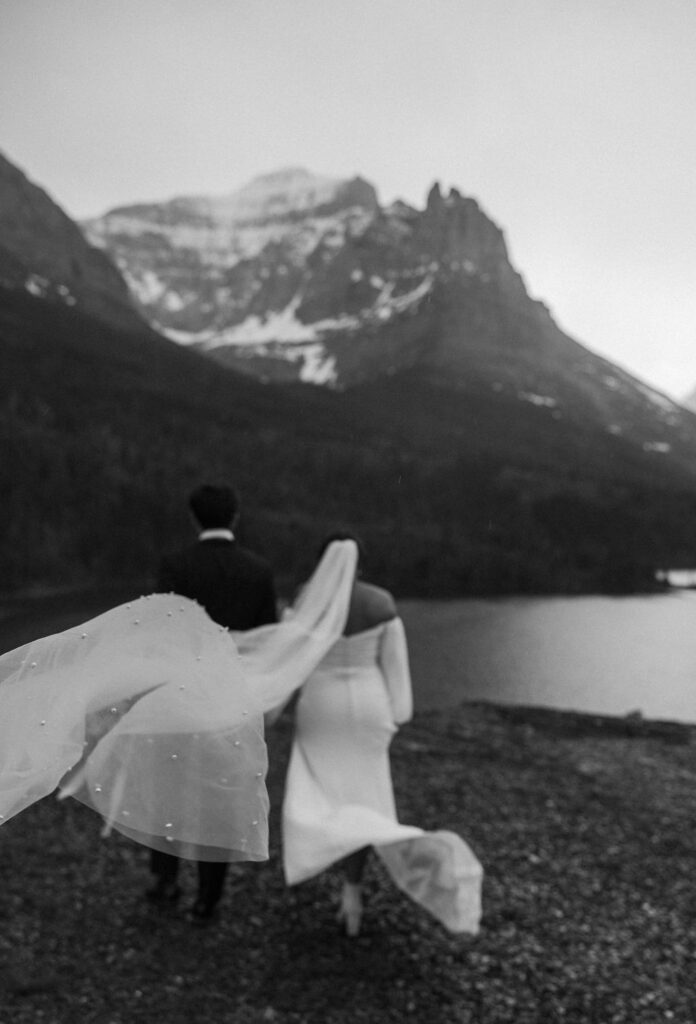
pixel 236 588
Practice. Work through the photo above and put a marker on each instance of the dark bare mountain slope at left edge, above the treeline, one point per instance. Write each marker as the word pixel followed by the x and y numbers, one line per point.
pixel 42 250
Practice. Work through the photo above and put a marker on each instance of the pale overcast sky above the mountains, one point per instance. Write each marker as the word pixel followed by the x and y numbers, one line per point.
pixel 573 122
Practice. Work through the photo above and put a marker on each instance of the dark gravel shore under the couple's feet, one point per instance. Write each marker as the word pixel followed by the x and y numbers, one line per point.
pixel 587 831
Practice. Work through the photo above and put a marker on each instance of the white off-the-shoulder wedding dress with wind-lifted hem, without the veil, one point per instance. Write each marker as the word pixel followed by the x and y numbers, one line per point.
pixel 339 795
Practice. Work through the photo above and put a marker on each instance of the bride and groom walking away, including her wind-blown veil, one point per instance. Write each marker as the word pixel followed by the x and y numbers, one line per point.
pixel 154 715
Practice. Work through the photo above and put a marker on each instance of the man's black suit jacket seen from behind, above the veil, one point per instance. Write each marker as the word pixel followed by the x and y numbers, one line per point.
pixel 235 586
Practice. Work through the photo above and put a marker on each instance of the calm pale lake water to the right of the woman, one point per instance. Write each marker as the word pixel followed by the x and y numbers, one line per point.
pixel 601 655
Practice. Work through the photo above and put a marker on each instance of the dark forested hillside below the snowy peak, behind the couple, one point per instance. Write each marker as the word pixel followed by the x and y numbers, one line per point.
pixel 104 434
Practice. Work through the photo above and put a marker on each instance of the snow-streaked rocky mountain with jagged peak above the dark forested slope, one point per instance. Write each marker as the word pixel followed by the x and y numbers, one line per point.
pixel 303 278
